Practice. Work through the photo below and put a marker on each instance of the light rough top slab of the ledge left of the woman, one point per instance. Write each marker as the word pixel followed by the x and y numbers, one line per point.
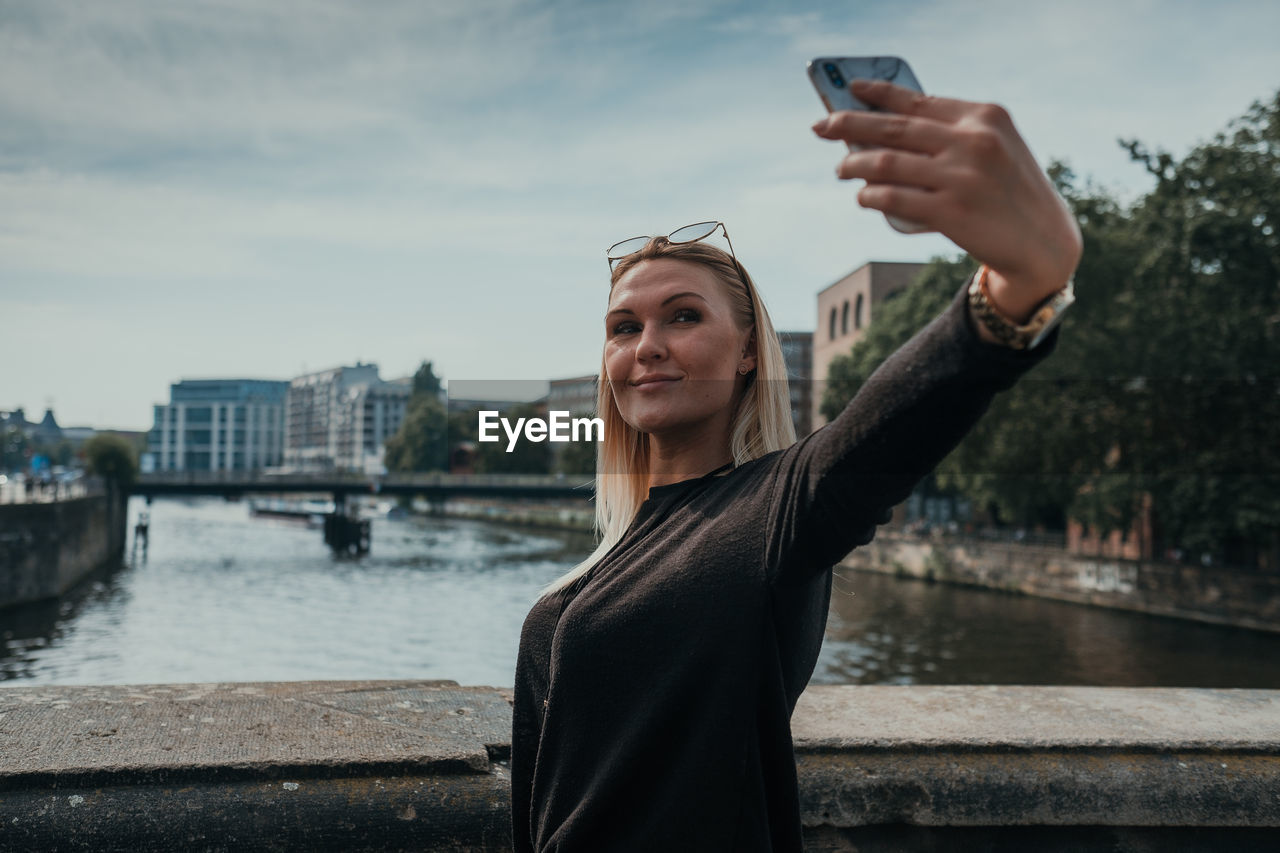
pixel 205 732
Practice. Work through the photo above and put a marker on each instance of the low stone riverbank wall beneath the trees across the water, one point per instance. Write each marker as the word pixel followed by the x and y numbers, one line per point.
pixel 1222 596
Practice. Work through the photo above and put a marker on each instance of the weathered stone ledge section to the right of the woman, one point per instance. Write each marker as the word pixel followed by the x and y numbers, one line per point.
pixel 1045 756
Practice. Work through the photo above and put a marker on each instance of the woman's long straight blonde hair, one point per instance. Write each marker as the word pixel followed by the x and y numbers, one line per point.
pixel 761 425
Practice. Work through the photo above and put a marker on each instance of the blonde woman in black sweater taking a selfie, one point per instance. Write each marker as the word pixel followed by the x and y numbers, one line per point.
pixel 656 682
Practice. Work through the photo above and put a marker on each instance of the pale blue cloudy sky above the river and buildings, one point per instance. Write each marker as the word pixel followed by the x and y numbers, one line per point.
pixel 237 189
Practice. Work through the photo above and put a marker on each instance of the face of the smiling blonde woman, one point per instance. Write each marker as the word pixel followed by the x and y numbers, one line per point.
pixel 673 349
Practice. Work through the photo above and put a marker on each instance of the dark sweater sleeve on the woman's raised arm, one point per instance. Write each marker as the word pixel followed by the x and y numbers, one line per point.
pixel 836 485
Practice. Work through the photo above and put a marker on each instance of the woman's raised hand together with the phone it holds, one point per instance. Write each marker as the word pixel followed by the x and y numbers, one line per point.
pixel 959 167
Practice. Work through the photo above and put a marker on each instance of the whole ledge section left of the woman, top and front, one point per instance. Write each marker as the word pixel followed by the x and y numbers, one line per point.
pixel 294 767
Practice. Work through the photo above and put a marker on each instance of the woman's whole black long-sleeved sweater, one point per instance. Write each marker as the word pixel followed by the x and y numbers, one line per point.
pixel 653 699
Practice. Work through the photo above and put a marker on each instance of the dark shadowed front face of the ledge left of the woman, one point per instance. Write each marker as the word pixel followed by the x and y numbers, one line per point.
pixel 403 813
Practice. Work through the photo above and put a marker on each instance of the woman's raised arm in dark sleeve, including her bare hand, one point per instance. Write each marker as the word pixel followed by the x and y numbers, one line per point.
pixel 962 170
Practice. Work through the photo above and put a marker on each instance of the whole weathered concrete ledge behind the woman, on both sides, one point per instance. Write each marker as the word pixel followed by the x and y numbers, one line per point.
pixel 423 765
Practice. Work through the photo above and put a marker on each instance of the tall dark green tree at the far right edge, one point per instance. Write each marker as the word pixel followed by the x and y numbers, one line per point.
pixel 1205 431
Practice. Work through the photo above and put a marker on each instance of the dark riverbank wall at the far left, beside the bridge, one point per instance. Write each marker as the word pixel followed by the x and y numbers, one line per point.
pixel 47 549
